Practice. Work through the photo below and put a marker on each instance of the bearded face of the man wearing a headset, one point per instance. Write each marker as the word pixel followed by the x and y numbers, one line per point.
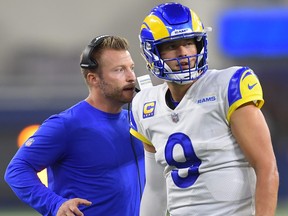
pixel 117 80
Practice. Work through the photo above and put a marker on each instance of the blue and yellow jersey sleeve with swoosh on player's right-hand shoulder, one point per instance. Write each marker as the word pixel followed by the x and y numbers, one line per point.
pixel 244 87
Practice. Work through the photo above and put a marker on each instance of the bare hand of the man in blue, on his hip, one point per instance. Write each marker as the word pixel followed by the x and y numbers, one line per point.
pixel 70 207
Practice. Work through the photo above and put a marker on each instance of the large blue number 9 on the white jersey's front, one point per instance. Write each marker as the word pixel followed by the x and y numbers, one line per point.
pixel 192 162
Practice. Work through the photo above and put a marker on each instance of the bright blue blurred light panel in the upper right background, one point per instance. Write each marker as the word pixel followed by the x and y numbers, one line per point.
pixel 254 32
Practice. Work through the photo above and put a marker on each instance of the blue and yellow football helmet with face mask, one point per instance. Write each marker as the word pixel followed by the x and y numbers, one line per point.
pixel 168 22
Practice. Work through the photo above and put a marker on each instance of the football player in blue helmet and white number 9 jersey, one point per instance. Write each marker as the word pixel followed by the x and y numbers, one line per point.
pixel 208 150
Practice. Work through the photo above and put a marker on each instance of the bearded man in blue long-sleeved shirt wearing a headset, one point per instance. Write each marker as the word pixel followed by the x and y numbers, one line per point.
pixel 95 167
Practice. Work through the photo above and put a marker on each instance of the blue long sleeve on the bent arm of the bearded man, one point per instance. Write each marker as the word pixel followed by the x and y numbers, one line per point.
pixel 38 152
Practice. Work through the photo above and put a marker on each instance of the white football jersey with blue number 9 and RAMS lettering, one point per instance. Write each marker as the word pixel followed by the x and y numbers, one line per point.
pixel 206 172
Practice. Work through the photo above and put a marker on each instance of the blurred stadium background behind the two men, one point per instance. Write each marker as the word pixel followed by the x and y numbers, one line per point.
pixel 40 45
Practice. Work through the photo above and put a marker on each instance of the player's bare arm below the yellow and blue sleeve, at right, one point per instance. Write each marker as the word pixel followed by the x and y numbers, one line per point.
pixel 250 129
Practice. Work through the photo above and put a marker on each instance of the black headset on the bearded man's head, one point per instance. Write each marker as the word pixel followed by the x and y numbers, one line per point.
pixel 87 61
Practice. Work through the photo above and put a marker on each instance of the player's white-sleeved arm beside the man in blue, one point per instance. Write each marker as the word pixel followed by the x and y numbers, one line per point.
pixel 154 200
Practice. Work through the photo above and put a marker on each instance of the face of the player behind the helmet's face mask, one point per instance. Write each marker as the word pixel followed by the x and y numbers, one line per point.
pixel 179 49
